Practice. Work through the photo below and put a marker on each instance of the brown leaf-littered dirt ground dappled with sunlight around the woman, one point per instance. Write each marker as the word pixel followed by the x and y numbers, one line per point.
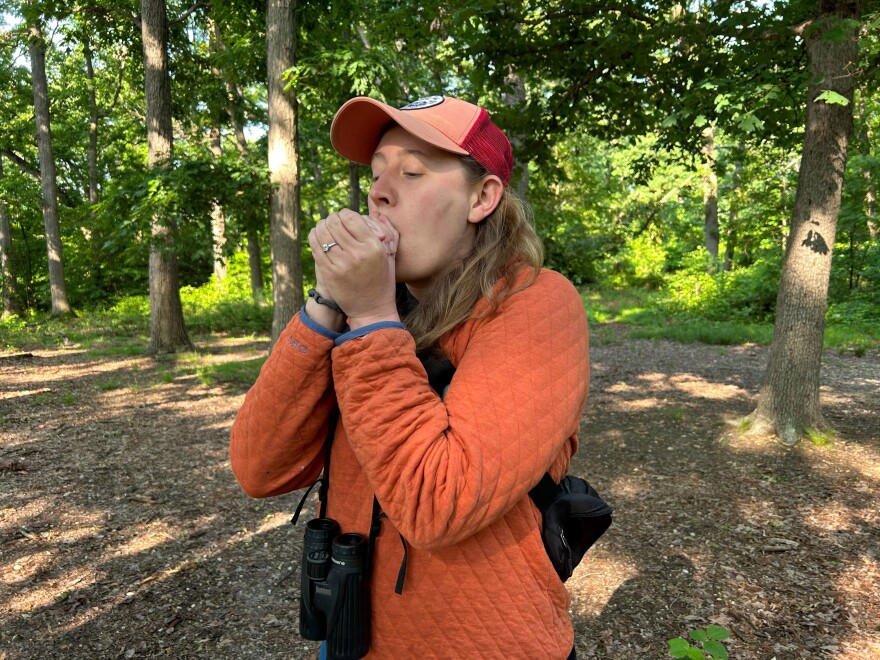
pixel 124 535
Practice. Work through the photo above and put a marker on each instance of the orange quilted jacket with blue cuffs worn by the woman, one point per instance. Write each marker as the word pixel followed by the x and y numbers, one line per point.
pixel 452 475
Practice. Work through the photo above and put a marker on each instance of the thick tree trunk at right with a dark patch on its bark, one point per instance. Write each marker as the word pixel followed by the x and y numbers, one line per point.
pixel 788 403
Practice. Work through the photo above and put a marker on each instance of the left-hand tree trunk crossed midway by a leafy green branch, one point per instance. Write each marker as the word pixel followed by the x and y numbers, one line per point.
pixel 167 330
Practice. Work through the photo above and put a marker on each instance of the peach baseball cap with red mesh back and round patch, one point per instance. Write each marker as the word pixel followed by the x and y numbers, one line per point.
pixel 448 123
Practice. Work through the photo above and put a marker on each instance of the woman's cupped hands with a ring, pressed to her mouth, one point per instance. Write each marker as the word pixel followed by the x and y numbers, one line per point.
pixel 358 271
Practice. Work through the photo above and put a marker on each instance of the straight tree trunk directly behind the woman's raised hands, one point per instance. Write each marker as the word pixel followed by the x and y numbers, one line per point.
pixel 284 213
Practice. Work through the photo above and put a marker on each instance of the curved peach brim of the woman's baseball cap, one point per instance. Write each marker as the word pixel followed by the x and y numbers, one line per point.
pixel 360 123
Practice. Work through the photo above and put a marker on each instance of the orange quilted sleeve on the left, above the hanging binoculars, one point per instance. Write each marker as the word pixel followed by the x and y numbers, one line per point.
pixel 278 434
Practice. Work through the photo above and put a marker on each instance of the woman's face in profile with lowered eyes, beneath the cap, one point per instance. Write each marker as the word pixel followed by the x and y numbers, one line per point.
pixel 425 194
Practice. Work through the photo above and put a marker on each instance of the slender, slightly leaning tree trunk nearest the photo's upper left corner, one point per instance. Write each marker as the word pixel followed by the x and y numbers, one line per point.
pixel 37 48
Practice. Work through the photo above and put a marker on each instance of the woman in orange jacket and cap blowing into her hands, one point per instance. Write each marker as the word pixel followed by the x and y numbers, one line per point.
pixel 451 473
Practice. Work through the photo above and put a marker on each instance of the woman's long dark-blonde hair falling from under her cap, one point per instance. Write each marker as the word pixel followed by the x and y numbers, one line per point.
pixel 505 244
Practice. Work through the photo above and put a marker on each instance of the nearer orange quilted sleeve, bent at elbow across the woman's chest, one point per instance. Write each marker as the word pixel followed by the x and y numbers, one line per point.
pixel 443 470
